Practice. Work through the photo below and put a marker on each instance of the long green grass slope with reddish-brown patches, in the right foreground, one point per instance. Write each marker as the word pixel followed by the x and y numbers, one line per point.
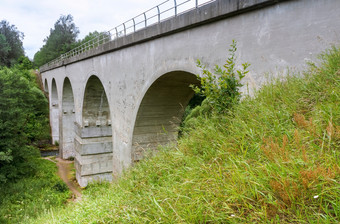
pixel 274 159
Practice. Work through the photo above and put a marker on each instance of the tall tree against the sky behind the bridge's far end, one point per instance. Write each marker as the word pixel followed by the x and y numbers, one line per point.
pixel 61 39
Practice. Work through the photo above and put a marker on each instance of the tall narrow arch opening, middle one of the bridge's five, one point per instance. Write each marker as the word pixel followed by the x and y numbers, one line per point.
pixel 66 148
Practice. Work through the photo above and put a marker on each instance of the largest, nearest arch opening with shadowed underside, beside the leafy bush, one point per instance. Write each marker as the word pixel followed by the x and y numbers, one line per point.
pixel 160 112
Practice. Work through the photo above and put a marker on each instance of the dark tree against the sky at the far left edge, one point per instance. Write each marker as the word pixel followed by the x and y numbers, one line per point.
pixel 11 47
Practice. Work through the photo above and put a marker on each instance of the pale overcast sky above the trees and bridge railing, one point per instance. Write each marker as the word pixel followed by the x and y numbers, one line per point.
pixel 35 18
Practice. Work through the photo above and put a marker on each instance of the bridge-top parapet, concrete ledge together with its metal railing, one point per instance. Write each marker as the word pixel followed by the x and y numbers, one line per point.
pixel 118 37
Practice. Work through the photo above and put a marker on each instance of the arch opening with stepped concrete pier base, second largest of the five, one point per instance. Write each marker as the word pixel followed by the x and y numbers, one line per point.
pixel 93 140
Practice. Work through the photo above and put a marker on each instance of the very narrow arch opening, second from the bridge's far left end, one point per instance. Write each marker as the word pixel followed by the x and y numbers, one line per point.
pixel 54 115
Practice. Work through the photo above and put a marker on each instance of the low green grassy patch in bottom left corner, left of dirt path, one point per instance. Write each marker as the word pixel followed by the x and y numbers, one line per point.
pixel 31 196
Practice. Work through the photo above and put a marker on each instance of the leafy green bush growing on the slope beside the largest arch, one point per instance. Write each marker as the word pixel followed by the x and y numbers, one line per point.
pixel 220 89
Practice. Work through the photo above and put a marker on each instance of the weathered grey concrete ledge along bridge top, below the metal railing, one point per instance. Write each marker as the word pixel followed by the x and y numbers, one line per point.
pixel 208 13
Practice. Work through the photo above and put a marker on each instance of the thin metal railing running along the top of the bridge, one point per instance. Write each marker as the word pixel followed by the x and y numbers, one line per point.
pixel 141 21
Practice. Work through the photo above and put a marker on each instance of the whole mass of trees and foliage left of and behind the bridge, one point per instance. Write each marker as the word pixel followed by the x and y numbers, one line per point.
pixel 23 106
